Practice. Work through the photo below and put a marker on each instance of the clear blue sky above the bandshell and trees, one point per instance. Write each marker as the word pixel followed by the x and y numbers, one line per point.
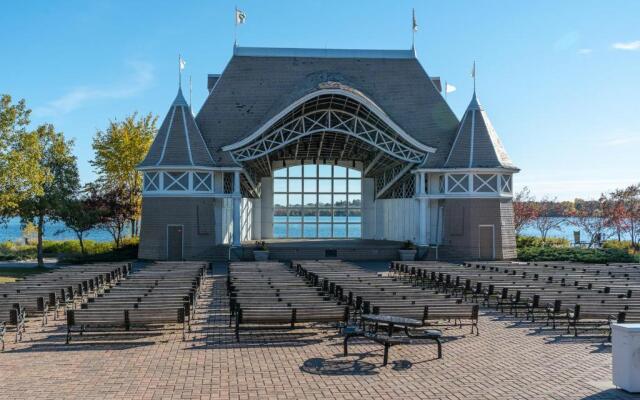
pixel 559 79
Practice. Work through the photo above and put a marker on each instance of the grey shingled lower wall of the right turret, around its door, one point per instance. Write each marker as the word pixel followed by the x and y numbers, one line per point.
pixel 462 218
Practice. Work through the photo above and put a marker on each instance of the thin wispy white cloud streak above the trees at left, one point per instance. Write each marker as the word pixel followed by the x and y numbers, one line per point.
pixel 138 82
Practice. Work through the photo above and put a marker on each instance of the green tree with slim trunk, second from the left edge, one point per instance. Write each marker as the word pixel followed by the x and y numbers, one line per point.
pixel 57 165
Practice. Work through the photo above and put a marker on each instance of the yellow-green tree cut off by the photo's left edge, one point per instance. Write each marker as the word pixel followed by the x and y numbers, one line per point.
pixel 20 176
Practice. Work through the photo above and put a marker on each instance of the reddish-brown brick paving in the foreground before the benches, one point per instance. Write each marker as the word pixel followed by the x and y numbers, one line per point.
pixel 507 361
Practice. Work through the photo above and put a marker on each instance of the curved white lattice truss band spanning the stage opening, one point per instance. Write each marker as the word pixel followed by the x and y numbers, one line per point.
pixel 331 120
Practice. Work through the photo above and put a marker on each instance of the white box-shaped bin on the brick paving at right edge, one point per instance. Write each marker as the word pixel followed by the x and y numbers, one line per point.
pixel 626 356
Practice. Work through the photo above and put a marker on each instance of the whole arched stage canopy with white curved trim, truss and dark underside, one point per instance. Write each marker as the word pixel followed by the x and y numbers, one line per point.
pixel 345 113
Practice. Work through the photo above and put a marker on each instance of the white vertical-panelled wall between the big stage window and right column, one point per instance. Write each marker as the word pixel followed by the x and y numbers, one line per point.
pixel 397 219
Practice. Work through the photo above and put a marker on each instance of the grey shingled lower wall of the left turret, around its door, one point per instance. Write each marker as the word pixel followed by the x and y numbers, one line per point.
pixel 195 214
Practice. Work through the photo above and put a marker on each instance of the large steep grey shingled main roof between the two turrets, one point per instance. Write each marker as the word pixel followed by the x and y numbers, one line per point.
pixel 257 84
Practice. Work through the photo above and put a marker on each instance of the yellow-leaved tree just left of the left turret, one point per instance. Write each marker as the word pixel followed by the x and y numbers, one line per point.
pixel 118 150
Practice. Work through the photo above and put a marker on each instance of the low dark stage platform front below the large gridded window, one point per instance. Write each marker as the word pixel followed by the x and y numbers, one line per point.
pixel 316 249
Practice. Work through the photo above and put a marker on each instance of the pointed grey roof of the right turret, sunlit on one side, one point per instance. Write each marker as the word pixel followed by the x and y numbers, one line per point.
pixel 477 144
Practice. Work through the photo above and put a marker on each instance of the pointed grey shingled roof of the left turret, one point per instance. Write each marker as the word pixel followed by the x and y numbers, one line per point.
pixel 179 141
